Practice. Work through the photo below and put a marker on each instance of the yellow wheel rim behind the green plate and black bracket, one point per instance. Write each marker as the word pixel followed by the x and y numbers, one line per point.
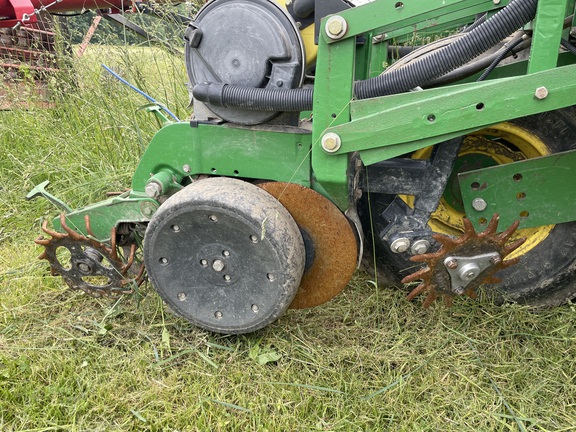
pixel 502 143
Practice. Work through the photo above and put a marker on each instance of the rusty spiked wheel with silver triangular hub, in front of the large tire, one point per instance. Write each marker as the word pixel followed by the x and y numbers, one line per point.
pixel 463 264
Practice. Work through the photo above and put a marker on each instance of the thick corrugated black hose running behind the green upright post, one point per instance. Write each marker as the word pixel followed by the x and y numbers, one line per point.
pixel 414 74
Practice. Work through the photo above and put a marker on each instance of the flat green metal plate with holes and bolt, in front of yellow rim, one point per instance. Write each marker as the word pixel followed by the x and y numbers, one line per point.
pixel 536 192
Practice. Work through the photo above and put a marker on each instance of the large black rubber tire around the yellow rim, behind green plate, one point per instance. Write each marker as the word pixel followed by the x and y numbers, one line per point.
pixel 546 274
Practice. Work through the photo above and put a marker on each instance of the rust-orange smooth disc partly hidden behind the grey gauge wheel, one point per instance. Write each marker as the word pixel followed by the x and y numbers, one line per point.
pixel 331 247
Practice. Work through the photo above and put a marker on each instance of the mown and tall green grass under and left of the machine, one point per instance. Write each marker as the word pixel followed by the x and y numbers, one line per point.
pixel 367 360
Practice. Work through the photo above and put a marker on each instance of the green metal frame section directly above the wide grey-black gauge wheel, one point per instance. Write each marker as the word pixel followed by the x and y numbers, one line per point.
pixel 281 153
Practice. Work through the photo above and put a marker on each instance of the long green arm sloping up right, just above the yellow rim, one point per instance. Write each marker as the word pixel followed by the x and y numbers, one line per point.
pixel 394 125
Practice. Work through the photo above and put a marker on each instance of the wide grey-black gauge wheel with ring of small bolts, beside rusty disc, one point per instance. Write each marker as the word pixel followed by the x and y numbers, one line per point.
pixel 225 255
